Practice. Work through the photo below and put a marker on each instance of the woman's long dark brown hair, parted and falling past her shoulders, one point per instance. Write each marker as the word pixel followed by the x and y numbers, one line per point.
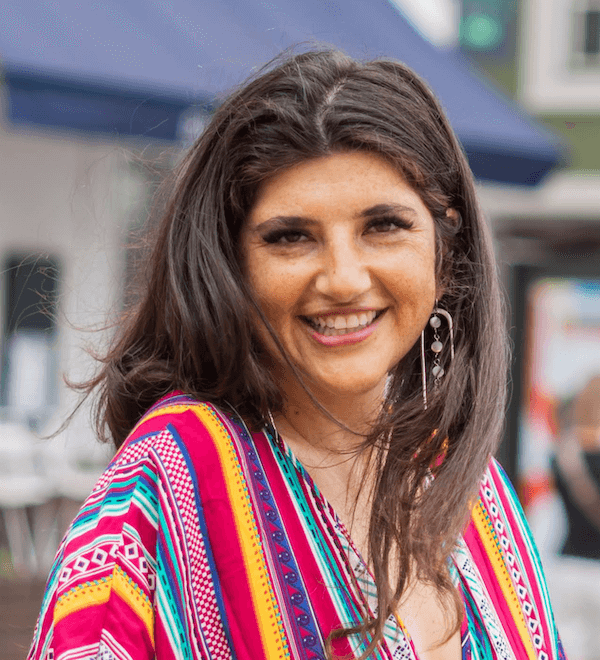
pixel 192 327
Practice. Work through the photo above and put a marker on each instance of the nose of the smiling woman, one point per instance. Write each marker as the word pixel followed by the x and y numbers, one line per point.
pixel 345 271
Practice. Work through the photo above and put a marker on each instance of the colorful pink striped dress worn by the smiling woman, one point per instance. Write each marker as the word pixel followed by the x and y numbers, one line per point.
pixel 202 540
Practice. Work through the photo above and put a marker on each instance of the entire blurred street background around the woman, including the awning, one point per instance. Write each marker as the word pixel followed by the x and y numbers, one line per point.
pixel 97 102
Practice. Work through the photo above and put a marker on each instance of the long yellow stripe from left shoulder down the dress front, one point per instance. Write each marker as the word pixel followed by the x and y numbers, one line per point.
pixel 265 606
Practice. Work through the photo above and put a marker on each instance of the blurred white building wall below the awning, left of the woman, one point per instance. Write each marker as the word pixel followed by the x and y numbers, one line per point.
pixel 69 198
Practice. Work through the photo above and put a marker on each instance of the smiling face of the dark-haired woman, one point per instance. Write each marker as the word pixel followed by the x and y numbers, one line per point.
pixel 340 254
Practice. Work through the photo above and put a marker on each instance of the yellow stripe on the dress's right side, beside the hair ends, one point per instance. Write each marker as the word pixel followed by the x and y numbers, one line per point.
pixel 488 537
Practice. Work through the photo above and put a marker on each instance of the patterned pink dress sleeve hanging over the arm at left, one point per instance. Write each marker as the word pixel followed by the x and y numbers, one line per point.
pixel 100 595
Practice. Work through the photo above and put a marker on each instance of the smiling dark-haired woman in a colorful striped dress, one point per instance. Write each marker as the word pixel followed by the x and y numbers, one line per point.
pixel 306 400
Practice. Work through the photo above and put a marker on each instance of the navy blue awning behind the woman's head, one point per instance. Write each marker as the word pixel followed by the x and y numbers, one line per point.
pixel 139 67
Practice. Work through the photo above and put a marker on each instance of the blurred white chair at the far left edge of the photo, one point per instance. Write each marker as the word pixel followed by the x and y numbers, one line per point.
pixel 22 486
